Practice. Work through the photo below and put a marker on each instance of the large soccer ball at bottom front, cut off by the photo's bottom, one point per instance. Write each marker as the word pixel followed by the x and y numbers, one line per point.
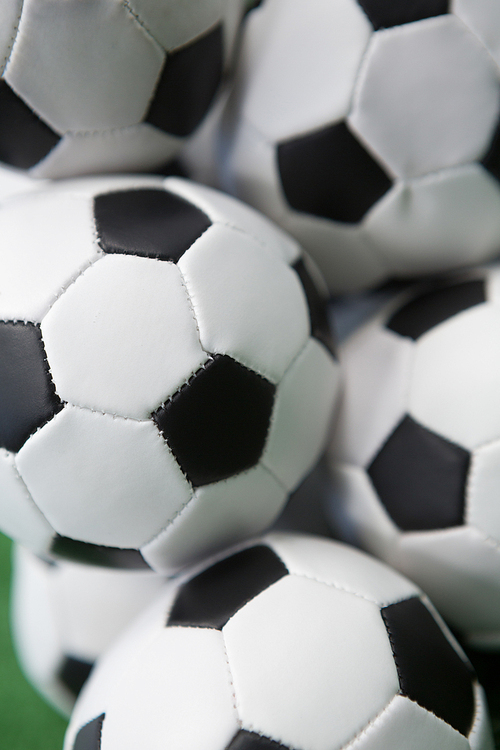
pixel 292 642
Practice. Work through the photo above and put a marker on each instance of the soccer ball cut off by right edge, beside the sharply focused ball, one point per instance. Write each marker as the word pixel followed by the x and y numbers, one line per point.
pixel 417 452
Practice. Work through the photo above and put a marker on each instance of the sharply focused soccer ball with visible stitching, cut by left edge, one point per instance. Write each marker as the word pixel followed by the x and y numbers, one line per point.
pixel 166 377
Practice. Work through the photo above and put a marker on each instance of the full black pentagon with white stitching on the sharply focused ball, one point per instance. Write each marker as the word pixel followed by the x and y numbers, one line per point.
pixel 216 425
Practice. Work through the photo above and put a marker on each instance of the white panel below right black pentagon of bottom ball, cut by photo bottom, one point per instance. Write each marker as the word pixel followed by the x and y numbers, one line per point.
pixel 407 726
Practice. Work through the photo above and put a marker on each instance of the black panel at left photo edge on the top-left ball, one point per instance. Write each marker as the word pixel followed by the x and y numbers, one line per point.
pixel 24 138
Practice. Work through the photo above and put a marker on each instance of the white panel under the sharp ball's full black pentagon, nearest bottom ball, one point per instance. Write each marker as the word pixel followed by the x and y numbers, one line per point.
pixel 219 515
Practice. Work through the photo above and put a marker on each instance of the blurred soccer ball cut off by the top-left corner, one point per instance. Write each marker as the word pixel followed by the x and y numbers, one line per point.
pixel 108 85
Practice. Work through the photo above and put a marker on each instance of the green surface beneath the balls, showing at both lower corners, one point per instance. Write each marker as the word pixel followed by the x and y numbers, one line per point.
pixel 28 723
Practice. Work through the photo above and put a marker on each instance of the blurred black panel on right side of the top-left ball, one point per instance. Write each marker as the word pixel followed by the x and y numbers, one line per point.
pixel 187 84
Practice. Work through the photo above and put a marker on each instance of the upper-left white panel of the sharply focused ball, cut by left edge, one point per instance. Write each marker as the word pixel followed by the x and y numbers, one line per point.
pixel 46 241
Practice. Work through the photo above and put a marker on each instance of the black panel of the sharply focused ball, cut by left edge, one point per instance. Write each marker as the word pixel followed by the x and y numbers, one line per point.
pixel 27 395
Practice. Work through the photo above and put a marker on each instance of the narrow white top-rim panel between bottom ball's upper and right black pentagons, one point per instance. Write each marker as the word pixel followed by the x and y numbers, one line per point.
pixel 342 567
